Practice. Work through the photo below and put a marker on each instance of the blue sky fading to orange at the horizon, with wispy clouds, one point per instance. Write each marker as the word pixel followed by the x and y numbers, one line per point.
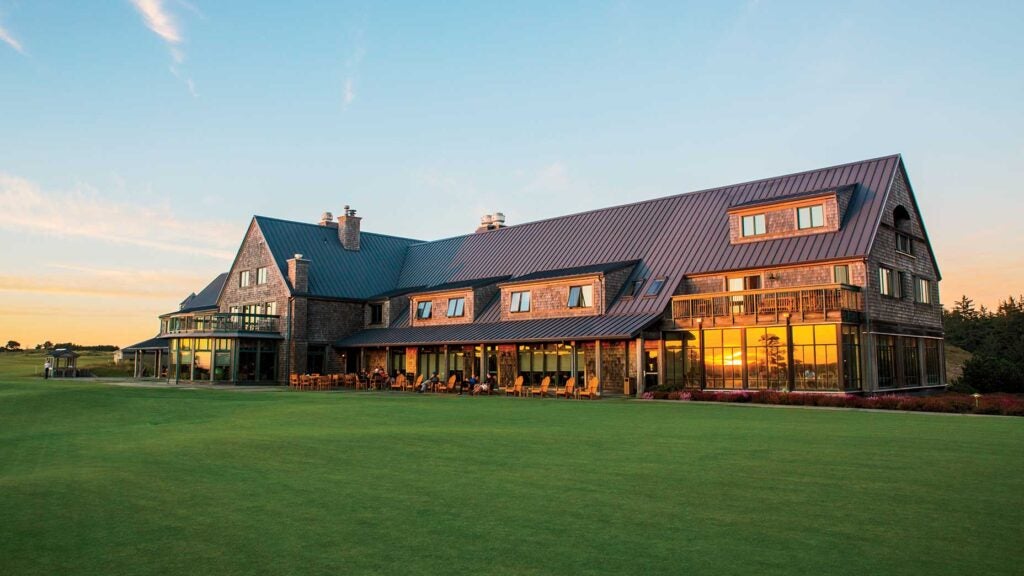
pixel 139 138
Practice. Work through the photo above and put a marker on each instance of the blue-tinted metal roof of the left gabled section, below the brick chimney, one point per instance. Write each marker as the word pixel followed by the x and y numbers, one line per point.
pixel 335 272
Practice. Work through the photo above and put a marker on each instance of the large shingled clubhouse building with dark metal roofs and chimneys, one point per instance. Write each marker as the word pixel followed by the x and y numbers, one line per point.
pixel 822 281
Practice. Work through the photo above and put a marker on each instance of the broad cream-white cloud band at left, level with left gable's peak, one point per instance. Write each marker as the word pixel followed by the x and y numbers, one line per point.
pixel 83 213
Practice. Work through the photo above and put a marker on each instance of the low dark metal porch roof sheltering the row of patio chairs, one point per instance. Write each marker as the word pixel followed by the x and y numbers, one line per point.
pixel 589 327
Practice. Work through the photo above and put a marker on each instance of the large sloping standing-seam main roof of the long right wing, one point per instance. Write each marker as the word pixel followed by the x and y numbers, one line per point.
pixel 673 237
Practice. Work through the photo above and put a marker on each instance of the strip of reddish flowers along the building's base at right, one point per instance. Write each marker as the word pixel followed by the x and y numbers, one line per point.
pixel 1006 405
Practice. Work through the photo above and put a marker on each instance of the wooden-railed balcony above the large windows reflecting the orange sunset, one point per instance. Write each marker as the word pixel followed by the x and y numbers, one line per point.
pixel 810 304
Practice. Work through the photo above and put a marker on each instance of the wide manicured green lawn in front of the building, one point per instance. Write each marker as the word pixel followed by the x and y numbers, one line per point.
pixel 107 480
